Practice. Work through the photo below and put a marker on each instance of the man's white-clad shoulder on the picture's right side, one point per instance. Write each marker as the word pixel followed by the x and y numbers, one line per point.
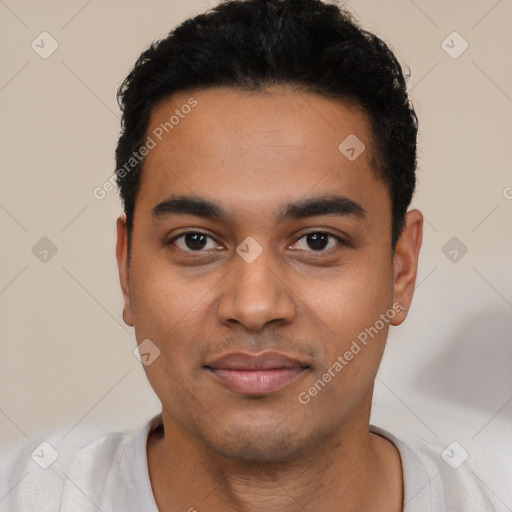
pixel 438 477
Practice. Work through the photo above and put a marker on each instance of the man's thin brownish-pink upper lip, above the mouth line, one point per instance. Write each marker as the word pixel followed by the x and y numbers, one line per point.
pixel 245 361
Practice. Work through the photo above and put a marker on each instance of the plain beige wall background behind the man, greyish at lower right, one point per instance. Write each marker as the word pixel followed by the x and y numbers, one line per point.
pixel 67 355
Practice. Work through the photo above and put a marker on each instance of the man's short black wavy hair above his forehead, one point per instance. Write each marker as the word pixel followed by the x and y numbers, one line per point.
pixel 256 44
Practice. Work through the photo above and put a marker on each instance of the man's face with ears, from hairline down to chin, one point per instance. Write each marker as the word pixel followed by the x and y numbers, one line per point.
pixel 260 254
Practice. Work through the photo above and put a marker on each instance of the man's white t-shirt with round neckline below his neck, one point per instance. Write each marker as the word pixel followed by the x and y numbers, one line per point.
pixel 110 474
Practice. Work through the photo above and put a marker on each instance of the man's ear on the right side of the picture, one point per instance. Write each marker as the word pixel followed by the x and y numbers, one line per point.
pixel 405 263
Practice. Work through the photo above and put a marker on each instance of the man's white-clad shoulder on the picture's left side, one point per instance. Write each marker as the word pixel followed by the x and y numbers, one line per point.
pixel 35 475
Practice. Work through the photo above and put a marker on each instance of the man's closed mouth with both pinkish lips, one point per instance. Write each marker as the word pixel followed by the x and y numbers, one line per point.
pixel 256 375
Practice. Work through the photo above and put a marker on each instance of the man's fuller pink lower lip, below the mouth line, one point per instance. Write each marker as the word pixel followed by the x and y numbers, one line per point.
pixel 257 382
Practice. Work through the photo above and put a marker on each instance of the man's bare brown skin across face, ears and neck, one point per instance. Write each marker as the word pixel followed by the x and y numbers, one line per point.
pixel 251 153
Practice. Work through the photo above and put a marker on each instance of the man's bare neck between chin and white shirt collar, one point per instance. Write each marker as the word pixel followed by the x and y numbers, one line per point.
pixel 351 471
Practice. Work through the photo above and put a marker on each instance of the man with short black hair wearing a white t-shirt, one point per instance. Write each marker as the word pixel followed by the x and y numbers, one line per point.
pixel 266 164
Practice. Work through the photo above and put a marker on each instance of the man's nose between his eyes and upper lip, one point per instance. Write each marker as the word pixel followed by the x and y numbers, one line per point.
pixel 254 294
